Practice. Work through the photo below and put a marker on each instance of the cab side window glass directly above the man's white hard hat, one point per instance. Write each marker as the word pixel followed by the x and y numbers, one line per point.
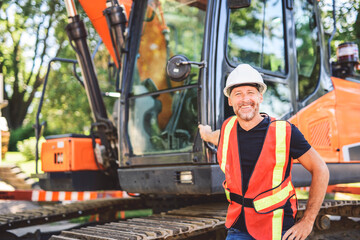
pixel 256 36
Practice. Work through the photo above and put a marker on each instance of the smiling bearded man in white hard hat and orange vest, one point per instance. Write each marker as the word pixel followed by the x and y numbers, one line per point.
pixel 255 152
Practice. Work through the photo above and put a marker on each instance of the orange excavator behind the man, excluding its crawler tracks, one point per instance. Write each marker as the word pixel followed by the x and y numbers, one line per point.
pixel 172 59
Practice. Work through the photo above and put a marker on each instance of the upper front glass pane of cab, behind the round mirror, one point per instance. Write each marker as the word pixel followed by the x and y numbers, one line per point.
pixel 169 28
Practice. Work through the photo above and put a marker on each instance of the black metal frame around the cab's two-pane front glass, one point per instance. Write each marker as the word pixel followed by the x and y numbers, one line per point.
pixel 126 156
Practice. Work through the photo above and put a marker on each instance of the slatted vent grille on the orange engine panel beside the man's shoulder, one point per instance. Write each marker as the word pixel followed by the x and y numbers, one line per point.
pixel 320 134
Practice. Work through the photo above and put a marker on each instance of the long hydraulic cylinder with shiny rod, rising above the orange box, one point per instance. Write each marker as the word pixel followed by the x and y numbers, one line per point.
pixel 102 126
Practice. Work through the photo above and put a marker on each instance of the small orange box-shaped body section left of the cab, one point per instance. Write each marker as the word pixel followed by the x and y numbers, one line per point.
pixel 68 154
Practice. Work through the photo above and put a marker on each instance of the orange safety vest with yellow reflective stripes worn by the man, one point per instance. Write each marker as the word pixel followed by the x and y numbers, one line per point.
pixel 268 189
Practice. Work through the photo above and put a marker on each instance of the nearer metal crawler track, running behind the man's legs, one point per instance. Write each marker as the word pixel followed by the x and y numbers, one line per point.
pixel 192 222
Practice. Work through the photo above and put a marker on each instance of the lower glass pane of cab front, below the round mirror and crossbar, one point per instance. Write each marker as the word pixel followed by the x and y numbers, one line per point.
pixel 163 123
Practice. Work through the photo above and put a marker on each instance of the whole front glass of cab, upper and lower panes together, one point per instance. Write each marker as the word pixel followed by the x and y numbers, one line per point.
pixel 166 122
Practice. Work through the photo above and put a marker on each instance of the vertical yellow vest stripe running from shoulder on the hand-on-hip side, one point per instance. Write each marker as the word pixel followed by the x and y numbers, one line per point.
pixel 280 153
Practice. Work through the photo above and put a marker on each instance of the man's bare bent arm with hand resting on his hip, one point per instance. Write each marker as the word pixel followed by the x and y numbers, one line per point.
pixel 311 161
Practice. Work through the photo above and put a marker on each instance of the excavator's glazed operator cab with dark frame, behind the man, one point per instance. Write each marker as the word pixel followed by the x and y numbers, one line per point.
pixel 163 152
